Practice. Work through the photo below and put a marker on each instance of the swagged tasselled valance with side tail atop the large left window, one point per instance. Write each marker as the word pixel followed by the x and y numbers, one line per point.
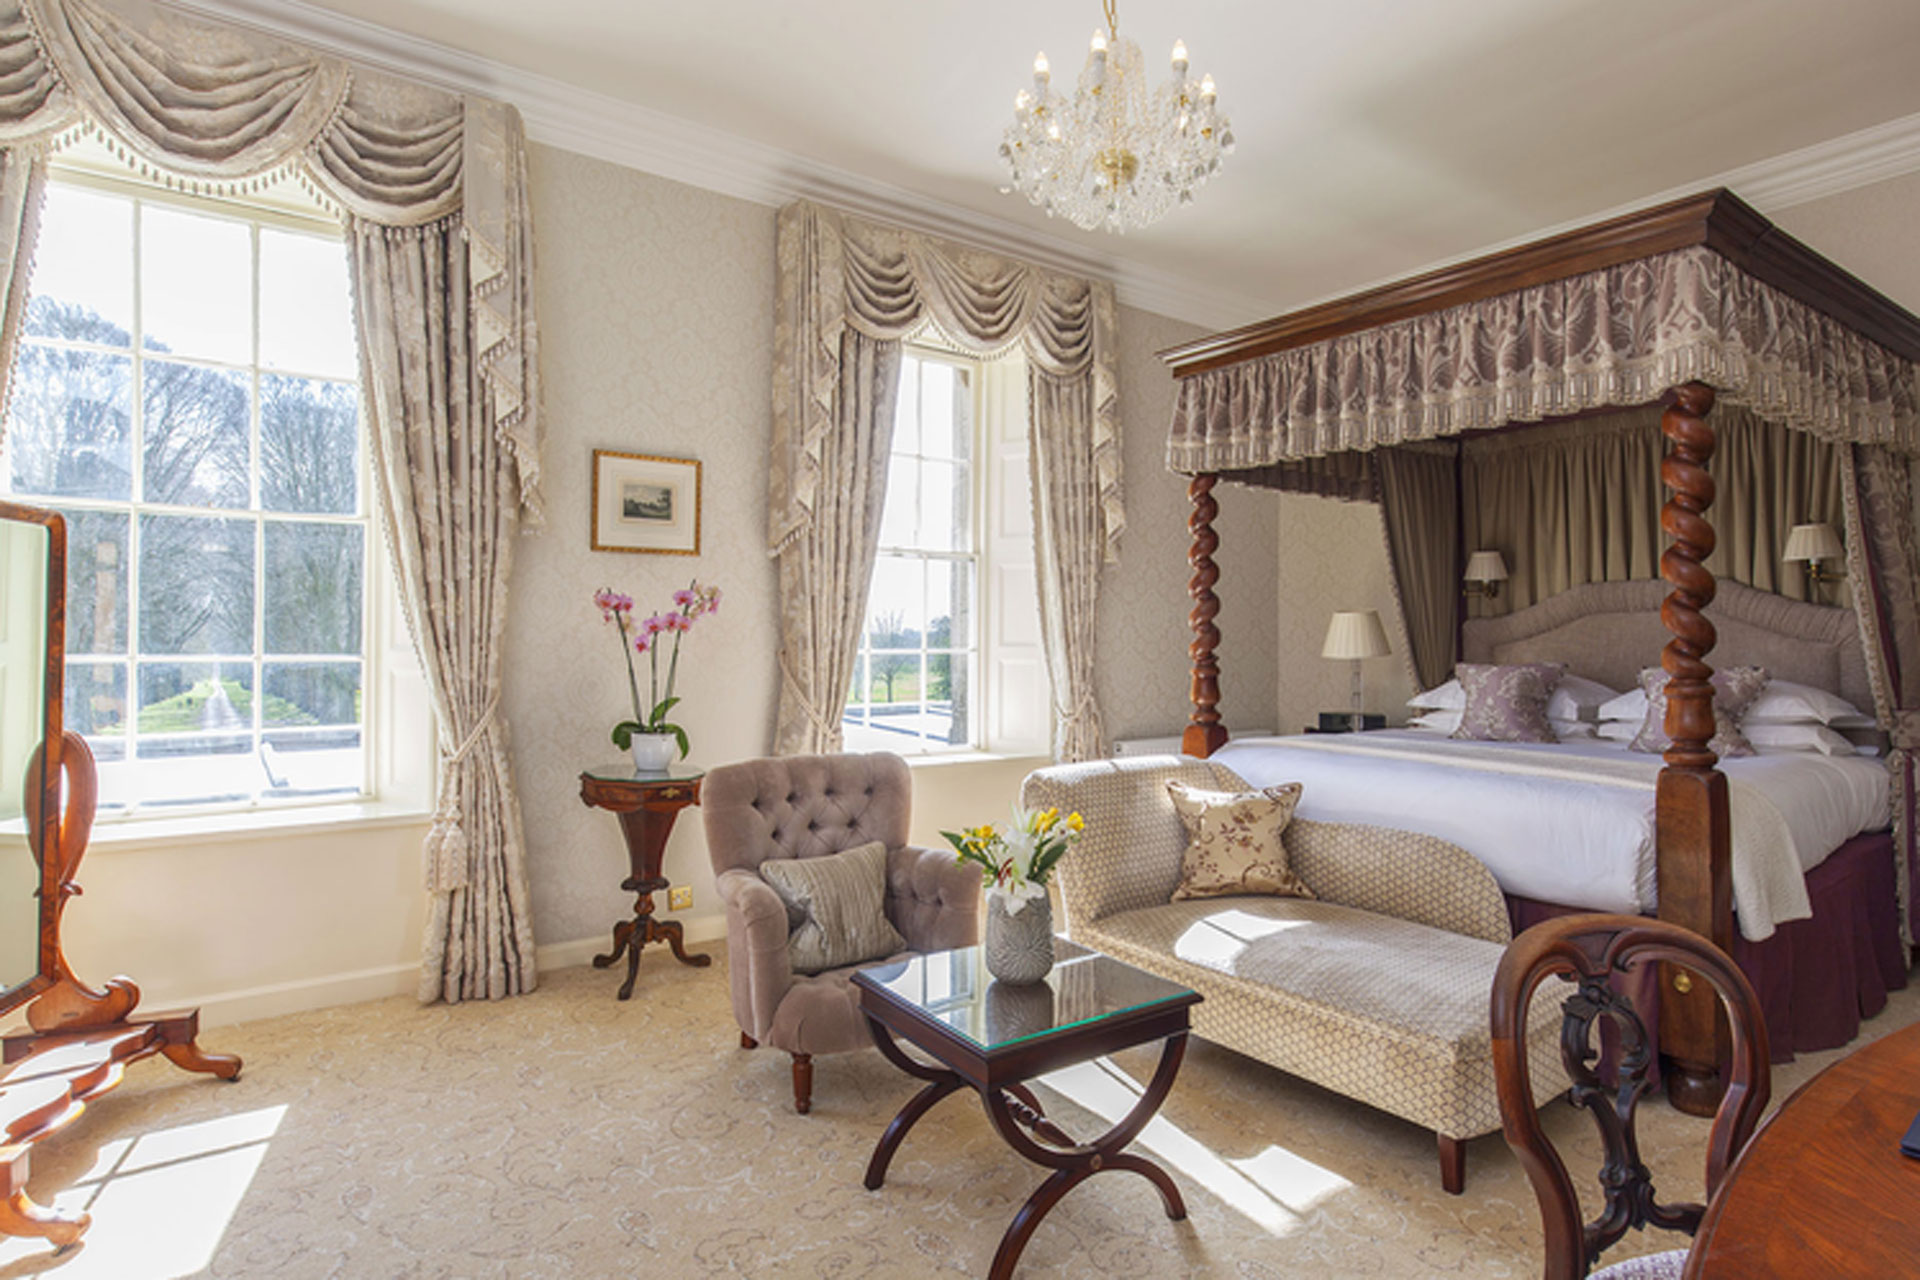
pixel 220 110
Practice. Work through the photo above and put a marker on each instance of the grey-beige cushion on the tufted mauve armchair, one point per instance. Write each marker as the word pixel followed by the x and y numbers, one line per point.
pixel 842 907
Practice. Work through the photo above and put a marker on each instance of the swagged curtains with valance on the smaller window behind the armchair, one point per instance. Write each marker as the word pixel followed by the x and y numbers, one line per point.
pixel 840 273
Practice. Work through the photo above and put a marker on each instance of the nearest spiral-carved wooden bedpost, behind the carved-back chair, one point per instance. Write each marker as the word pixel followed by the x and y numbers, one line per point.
pixel 1691 801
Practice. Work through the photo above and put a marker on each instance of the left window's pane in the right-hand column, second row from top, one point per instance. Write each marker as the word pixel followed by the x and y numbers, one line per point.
pixel 308 446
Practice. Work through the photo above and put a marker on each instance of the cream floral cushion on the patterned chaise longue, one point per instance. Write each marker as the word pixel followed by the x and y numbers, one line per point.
pixel 1234 843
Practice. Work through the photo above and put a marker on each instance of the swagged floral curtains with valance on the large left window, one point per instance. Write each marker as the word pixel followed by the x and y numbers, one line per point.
pixel 435 193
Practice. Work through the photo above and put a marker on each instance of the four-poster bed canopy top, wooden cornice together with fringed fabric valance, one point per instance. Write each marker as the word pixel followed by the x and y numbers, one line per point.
pixel 1403 366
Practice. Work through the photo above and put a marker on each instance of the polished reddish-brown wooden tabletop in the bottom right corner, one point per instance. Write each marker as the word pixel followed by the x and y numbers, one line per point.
pixel 1823 1189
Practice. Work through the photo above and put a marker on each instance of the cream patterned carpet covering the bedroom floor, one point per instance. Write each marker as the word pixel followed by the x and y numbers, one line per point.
pixel 571 1135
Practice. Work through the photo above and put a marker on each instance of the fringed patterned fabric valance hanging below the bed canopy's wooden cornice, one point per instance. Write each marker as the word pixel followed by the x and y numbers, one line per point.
pixel 1616 337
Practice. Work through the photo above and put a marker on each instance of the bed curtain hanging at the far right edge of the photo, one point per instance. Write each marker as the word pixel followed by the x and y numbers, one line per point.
pixel 1884 571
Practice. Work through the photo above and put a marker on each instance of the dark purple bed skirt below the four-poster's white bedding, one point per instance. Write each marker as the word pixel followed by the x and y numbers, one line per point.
pixel 1815 978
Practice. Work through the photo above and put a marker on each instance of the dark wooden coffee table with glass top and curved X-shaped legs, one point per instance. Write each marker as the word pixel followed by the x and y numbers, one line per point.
pixel 996 1037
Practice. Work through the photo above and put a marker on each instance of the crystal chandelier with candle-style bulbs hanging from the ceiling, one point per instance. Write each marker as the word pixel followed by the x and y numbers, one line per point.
pixel 1115 154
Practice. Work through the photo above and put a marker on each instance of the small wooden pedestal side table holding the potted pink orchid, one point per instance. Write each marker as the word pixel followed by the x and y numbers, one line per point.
pixel 646 805
